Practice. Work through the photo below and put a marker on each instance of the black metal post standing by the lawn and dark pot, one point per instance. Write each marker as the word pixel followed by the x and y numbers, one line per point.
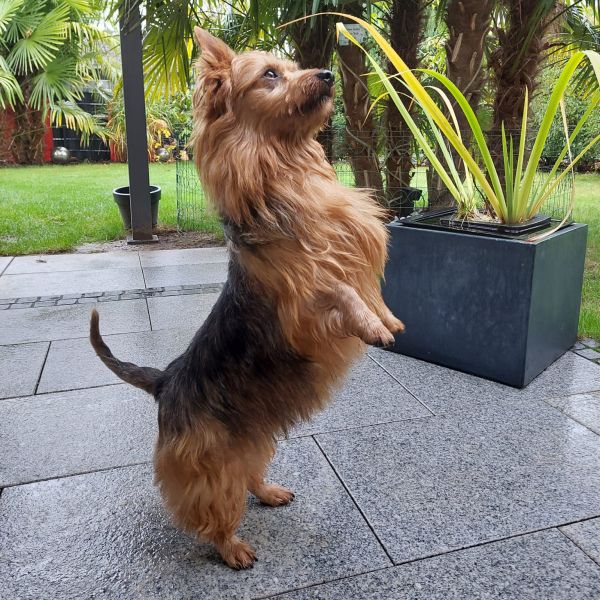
pixel 135 121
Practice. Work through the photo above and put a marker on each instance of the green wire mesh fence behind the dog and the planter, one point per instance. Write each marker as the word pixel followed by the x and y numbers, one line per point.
pixel 399 176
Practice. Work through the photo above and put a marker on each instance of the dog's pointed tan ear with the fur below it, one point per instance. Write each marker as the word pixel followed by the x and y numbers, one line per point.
pixel 215 71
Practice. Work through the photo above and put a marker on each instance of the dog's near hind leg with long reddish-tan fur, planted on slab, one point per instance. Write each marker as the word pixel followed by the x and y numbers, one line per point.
pixel 207 496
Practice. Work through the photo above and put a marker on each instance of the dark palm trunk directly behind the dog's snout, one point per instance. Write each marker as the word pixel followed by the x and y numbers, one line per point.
pixel 313 41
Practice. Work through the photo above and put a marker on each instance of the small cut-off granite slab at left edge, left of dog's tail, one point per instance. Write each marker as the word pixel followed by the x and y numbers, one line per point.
pixel 21 366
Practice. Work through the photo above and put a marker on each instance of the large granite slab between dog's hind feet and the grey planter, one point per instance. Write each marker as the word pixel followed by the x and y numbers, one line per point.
pixel 429 486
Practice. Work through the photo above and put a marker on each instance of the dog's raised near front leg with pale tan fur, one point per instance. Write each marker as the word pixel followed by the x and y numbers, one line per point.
pixel 345 313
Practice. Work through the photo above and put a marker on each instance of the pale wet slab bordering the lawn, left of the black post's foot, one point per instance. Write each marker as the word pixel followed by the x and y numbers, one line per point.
pixel 49 263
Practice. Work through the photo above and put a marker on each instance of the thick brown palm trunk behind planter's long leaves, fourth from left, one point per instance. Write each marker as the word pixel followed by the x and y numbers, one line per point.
pixel 468 23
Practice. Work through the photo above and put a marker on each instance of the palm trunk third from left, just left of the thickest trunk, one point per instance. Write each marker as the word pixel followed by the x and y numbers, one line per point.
pixel 406 32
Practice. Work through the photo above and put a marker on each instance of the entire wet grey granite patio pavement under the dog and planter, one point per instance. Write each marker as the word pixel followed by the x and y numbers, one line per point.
pixel 417 482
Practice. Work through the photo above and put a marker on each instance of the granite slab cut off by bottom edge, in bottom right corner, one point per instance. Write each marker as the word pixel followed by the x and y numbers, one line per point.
pixel 533 567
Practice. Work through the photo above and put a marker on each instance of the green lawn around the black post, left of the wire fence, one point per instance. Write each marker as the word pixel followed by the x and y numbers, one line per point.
pixel 55 208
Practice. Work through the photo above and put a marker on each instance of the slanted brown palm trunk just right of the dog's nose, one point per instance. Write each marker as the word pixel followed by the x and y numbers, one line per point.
pixel 361 135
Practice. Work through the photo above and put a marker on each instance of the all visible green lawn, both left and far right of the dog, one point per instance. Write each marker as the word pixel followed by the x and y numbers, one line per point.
pixel 55 208
